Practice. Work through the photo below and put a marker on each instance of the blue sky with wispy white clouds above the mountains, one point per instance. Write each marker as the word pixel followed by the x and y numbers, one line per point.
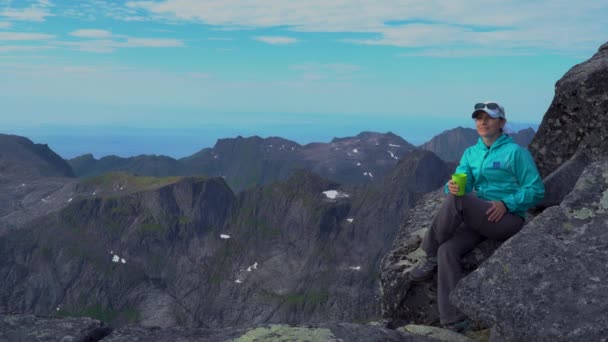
pixel 298 69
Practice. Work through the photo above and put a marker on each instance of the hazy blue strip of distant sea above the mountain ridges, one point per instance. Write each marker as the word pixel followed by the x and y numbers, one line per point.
pixel 179 141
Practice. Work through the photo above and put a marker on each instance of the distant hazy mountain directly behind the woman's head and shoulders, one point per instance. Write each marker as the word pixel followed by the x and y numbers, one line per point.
pixel 450 144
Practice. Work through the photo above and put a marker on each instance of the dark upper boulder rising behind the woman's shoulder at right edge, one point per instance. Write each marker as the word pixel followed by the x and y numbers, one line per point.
pixel 577 119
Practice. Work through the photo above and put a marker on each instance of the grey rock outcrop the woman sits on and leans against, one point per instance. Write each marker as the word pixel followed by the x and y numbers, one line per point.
pixel 548 282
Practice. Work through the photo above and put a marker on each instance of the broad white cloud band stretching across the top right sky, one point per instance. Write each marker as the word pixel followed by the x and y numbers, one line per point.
pixel 436 24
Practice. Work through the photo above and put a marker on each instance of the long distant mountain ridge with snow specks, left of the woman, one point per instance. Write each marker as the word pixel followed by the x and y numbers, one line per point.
pixel 246 162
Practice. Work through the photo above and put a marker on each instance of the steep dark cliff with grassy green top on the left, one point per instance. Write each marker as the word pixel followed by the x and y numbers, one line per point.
pixel 120 258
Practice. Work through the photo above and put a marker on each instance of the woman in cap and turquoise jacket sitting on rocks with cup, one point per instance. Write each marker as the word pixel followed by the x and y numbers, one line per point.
pixel 502 183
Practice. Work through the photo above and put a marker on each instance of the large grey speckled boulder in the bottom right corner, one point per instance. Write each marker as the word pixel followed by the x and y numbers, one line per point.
pixel 550 281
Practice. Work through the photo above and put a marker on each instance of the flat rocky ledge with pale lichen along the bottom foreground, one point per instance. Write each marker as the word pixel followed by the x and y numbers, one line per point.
pixel 30 328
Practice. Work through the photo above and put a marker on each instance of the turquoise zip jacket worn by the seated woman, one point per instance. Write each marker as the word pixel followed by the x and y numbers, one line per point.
pixel 504 172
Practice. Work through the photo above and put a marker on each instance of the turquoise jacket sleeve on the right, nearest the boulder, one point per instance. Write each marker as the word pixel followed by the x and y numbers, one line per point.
pixel 531 188
